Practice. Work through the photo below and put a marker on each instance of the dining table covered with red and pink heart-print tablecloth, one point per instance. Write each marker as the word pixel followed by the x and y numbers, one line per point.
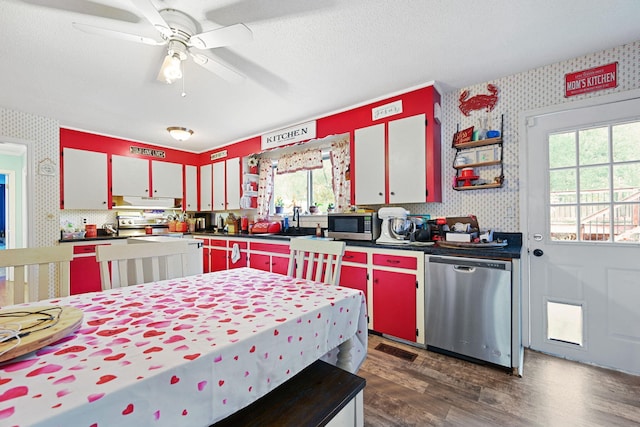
pixel 182 352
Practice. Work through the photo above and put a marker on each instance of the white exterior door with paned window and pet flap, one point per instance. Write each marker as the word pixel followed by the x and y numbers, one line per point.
pixel 583 222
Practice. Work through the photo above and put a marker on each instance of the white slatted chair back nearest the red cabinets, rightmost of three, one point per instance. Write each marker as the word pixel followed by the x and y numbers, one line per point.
pixel 316 259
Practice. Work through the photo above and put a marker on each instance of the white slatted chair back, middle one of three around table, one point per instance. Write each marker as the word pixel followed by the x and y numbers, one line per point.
pixel 140 263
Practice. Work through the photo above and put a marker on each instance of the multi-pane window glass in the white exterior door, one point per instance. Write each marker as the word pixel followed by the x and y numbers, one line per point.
pixel 594 184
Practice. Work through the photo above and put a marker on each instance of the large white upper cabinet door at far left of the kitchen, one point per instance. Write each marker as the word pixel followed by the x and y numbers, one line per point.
pixel 85 179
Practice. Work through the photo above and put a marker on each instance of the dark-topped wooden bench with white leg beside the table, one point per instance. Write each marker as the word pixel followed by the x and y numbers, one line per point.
pixel 320 395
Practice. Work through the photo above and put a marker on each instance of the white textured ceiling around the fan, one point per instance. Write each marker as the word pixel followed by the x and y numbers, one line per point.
pixel 307 58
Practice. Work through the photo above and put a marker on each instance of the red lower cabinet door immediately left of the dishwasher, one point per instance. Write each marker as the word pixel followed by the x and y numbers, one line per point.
pixel 394 304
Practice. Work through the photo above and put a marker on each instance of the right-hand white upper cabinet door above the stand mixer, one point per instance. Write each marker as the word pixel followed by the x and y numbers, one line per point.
pixel 407 160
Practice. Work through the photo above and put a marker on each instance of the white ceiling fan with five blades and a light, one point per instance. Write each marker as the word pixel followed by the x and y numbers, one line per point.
pixel 179 34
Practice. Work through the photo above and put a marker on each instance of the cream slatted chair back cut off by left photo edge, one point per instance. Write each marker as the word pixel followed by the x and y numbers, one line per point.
pixel 56 257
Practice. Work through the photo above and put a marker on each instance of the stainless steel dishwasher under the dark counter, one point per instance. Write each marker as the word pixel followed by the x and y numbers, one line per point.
pixel 468 307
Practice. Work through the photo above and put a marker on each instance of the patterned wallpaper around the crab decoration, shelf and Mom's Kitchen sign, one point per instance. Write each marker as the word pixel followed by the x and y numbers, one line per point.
pixel 541 87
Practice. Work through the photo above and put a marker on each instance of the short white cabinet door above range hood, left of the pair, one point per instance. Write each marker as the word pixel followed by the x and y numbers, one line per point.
pixel 129 176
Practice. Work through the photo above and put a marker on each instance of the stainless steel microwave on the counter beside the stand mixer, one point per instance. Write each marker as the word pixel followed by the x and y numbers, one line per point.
pixel 354 226
